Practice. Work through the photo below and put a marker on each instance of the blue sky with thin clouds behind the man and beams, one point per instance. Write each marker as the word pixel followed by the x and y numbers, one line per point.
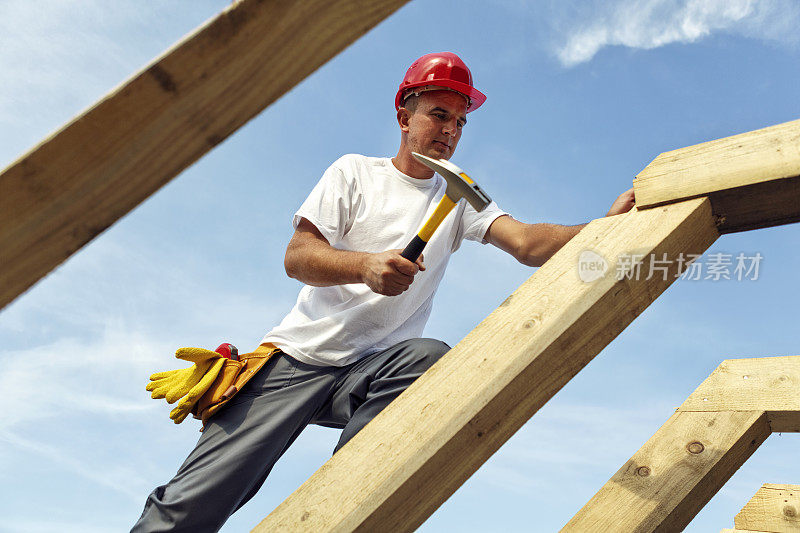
pixel 582 95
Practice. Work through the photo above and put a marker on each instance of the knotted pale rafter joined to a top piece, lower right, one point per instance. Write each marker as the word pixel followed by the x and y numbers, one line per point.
pixel 666 483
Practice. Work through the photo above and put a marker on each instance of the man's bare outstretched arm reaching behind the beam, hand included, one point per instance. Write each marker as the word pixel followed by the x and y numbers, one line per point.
pixel 534 244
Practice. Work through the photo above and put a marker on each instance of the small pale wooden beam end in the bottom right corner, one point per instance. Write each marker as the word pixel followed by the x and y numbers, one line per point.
pixel 774 508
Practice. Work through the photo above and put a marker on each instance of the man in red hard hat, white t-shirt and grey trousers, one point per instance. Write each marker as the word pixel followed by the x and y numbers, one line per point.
pixel 351 343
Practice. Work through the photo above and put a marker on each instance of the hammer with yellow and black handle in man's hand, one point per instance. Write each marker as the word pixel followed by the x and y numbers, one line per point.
pixel 459 186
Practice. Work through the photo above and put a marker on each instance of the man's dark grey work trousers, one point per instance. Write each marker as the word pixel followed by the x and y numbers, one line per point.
pixel 243 441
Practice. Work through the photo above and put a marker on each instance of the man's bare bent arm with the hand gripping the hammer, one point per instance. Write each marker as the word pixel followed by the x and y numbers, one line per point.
pixel 312 260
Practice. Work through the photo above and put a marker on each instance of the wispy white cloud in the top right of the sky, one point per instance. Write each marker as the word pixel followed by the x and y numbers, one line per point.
pixel 648 24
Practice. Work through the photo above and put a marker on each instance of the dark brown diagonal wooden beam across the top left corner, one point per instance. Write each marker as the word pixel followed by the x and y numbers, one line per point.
pixel 84 177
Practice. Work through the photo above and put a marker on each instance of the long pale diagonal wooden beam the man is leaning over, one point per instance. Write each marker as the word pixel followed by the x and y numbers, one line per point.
pixel 421 448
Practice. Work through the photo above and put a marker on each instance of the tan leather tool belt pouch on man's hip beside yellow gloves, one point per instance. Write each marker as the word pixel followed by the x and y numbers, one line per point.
pixel 231 379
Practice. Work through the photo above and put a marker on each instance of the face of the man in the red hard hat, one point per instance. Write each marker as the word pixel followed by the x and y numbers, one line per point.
pixel 434 128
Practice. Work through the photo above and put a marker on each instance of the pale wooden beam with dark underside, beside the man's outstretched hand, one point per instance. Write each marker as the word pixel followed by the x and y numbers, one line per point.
pixel 752 179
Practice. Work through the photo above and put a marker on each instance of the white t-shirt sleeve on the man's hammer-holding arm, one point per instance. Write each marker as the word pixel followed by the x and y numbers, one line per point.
pixel 329 205
